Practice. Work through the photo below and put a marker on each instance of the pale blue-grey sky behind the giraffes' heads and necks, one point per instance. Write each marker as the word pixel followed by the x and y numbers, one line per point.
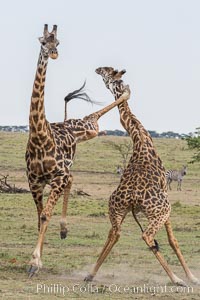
pixel 156 41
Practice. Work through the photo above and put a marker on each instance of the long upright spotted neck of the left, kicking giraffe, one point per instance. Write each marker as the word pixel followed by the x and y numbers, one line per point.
pixel 37 121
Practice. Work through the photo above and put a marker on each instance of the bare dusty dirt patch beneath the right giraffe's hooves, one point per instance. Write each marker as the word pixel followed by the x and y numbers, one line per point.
pixel 122 281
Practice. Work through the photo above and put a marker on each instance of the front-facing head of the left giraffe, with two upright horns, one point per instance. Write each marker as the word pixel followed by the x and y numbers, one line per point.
pixel 49 42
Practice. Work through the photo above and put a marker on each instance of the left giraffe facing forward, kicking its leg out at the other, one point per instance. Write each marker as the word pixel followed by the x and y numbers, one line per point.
pixel 51 148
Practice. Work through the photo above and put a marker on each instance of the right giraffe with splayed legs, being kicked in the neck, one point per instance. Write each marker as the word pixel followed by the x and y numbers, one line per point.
pixel 142 188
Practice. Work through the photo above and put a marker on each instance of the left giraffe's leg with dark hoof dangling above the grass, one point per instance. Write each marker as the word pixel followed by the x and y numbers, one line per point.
pixel 63 222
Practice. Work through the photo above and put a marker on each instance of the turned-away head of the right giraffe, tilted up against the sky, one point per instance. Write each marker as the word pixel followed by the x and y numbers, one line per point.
pixel 111 78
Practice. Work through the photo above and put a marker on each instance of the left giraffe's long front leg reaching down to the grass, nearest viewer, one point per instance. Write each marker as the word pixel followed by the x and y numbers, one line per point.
pixel 58 184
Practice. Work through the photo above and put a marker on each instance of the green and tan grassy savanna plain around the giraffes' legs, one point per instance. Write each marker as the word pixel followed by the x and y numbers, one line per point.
pixel 131 271
